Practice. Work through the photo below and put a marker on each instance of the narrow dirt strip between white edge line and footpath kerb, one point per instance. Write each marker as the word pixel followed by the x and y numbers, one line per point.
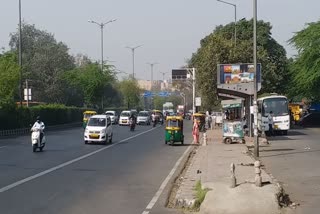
pixel 171 201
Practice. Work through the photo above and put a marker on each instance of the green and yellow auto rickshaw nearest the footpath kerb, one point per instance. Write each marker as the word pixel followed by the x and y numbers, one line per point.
pixel 174 130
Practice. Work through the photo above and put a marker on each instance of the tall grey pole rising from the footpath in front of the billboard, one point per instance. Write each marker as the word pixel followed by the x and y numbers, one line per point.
pixel 256 138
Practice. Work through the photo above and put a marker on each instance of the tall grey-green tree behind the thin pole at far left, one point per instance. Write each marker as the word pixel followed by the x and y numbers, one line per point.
pixel 44 61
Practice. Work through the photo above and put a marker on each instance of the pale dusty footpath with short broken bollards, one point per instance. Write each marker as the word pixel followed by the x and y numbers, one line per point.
pixel 210 165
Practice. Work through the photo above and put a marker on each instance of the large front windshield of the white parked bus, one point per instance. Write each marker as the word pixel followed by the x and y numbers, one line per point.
pixel 279 107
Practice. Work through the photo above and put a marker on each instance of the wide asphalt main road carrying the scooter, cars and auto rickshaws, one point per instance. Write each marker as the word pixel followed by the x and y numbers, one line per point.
pixel 71 177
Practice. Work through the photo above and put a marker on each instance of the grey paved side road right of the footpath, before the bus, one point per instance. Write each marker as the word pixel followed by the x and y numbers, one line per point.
pixel 293 160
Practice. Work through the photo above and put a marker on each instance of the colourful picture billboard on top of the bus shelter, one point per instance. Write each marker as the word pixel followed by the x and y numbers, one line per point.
pixel 237 73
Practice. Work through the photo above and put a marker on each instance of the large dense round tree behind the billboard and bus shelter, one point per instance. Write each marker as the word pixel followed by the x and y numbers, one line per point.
pixel 218 48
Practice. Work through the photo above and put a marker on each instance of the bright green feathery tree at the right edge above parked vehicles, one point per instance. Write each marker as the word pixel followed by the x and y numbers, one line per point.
pixel 305 69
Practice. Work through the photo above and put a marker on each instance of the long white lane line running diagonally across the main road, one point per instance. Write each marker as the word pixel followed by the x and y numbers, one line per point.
pixel 15 184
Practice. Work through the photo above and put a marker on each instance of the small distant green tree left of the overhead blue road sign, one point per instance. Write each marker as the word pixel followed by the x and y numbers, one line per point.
pixel 131 92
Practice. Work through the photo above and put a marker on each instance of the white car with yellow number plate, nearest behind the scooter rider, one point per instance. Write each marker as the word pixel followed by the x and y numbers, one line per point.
pixel 98 130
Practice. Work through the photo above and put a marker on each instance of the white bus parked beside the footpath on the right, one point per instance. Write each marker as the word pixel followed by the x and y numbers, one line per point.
pixel 279 106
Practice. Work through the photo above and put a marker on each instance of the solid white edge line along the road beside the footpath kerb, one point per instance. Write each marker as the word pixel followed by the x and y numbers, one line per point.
pixel 165 182
